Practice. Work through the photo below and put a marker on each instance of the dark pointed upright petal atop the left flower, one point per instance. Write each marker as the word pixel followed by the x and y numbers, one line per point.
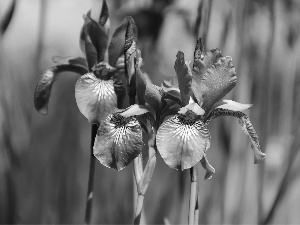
pixel 97 35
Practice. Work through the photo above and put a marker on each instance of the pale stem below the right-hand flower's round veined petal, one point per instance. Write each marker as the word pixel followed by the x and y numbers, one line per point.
pixel 193 194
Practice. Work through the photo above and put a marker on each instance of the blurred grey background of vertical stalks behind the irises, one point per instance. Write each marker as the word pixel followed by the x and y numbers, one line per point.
pixel 44 160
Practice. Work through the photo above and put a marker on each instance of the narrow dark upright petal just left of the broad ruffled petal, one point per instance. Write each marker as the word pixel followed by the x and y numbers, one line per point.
pixel 184 78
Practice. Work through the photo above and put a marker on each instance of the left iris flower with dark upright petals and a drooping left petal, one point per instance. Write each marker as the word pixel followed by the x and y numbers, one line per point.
pixel 100 84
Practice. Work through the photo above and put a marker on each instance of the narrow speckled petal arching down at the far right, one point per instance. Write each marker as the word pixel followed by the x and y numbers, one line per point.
pixel 247 127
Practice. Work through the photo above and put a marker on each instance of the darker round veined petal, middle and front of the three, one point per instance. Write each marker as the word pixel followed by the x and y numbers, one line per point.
pixel 118 142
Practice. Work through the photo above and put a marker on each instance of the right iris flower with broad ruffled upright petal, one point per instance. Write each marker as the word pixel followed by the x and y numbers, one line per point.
pixel 184 139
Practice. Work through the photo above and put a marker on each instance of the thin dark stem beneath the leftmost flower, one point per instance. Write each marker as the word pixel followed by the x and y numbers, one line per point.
pixel 89 198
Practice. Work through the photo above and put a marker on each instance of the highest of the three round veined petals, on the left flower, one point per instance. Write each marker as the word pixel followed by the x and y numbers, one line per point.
pixel 95 98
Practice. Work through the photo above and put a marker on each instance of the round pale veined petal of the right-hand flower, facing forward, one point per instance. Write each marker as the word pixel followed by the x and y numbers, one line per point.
pixel 182 141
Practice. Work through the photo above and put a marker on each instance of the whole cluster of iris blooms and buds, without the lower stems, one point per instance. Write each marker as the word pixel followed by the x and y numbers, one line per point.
pixel 175 115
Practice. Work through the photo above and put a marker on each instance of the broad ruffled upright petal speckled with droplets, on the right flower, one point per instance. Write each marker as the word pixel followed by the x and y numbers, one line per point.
pixel 213 76
